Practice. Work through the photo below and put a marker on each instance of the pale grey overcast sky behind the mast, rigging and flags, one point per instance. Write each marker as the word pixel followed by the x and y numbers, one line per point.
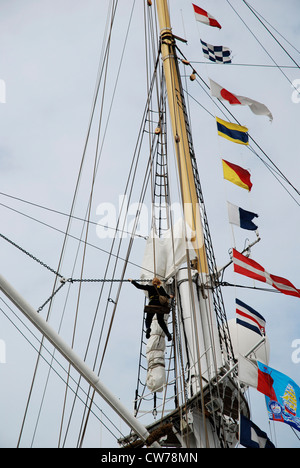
pixel 49 56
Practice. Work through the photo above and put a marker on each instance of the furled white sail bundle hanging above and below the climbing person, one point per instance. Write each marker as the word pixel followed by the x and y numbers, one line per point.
pixel 163 256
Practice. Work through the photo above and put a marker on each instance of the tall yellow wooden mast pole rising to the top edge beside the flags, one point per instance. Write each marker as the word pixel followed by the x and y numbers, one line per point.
pixel 180 135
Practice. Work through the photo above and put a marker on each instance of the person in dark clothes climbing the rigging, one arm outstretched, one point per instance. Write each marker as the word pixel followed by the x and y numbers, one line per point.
pixel 155 292
